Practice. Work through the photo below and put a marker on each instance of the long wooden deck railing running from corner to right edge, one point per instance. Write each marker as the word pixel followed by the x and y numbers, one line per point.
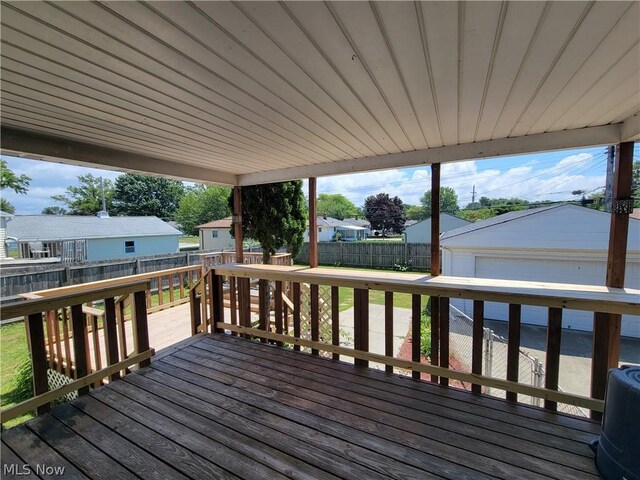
pixel 555 297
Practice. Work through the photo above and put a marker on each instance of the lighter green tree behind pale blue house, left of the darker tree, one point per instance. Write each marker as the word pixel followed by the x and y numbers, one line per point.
pixel 86 197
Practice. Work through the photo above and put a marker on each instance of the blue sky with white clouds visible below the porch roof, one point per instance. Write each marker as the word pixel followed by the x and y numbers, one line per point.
pixel 535 177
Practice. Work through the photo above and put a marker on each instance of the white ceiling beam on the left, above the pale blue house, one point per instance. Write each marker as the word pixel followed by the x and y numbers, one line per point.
pixel 21 143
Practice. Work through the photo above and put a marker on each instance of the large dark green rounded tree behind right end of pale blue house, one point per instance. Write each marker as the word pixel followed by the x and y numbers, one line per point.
pixel 142 195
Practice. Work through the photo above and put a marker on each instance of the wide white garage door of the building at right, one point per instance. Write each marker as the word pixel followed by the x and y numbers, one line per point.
pixel 563 271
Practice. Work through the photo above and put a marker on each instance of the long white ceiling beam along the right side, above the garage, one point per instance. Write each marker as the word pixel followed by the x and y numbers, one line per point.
pixel 566 139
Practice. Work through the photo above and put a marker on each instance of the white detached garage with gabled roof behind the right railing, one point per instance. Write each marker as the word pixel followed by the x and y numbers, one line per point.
pixel 563 243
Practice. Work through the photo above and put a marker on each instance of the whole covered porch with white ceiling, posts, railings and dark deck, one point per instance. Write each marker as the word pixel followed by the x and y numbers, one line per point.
pixel 242 94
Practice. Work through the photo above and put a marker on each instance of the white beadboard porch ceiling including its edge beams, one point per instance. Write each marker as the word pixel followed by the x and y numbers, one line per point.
pixel 249 92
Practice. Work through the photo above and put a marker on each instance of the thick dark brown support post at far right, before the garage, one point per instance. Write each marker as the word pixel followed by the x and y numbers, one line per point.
pixel 606 327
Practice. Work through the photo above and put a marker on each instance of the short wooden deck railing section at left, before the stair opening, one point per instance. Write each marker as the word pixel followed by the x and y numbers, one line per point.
pixel 47 317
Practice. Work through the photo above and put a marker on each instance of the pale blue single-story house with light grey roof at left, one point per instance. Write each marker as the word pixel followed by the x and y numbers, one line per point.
pixel 103 238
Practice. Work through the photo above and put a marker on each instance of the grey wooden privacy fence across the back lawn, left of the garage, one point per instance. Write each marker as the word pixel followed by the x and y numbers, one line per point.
pixel 383 255
